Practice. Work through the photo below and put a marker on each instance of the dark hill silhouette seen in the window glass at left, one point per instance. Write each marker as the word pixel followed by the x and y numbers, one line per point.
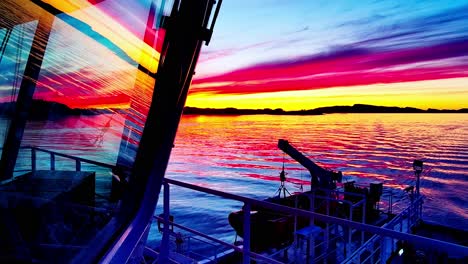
pixel 41 110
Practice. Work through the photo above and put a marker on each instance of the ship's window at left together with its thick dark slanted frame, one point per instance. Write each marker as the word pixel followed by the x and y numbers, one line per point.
pixel 92 93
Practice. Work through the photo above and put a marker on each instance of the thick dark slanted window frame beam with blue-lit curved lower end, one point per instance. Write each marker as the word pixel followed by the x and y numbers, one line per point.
pixel 179 56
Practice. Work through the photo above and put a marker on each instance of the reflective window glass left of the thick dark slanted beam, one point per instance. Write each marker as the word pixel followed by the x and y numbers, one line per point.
pixel 76 83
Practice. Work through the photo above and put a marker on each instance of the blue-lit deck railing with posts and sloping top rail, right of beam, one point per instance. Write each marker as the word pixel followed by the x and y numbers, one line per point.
pixel 376 249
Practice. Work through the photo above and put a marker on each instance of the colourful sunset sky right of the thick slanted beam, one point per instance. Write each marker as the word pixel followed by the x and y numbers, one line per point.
pixel 307 54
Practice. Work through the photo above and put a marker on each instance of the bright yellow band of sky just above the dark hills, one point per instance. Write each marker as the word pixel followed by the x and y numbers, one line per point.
pixel 419 94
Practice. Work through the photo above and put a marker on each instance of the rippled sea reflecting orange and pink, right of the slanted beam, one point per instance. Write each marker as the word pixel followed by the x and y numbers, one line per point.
pixel 239 154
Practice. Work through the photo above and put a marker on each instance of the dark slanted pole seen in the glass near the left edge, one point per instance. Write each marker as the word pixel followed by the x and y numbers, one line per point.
pixel 15 133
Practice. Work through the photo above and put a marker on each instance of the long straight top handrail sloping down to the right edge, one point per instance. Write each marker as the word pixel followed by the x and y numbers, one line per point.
pixel 423 241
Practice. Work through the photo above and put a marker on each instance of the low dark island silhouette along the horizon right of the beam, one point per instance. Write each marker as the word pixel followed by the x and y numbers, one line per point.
pixel 357 108
